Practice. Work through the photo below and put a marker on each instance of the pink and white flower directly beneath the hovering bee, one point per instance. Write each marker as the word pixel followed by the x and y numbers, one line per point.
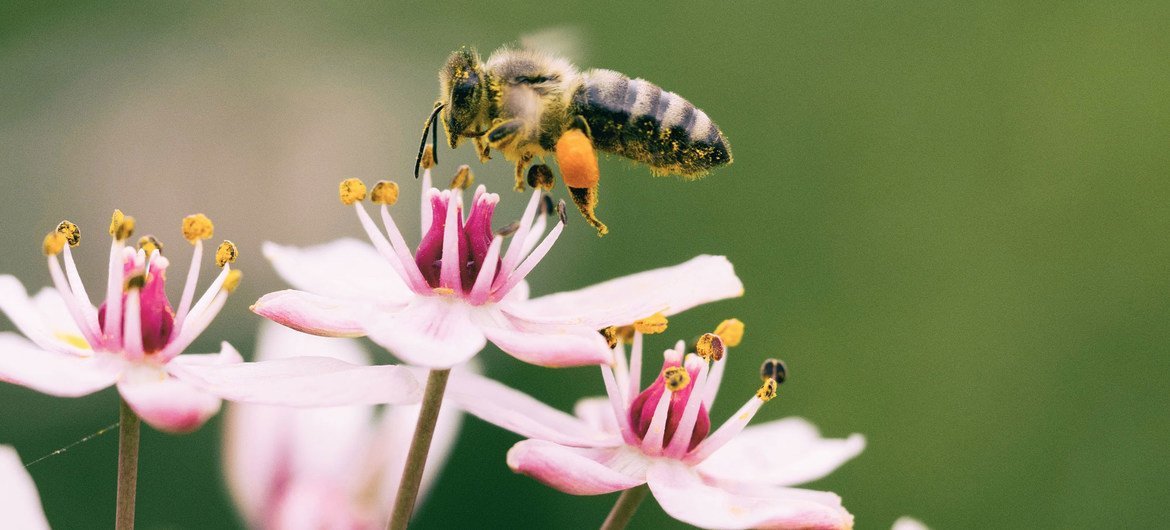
pixel 441 306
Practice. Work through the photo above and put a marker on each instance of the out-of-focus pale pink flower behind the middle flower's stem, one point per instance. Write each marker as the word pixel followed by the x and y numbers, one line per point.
pixel 322 469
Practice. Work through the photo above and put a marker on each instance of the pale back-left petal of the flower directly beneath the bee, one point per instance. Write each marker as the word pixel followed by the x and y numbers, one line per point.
pixel 346 270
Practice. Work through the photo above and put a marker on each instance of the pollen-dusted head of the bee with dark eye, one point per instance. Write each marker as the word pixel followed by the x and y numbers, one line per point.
pixel 464 87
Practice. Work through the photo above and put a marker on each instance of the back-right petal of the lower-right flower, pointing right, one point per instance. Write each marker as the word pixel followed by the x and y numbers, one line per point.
pixel 781 453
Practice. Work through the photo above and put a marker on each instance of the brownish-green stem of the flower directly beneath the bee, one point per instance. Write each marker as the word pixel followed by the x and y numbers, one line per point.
pixel 421 446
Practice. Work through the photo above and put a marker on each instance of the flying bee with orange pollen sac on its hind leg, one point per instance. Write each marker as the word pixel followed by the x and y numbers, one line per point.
pixel 526 105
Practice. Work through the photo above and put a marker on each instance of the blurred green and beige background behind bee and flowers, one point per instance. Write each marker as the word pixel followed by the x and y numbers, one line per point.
pixel 952 222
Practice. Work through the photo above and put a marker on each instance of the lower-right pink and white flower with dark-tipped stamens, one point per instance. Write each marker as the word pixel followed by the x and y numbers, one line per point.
pixel 733 478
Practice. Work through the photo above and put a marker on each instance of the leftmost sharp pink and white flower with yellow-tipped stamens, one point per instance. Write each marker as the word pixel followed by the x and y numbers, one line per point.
pixel 134 340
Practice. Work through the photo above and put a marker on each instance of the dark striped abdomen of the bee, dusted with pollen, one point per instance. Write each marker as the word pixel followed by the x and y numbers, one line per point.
pixel 639 121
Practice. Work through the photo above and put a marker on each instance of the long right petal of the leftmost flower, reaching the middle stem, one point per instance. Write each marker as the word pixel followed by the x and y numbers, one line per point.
pixel 302 382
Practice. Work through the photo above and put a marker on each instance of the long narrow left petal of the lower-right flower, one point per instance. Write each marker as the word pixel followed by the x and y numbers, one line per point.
pixel 515 411
